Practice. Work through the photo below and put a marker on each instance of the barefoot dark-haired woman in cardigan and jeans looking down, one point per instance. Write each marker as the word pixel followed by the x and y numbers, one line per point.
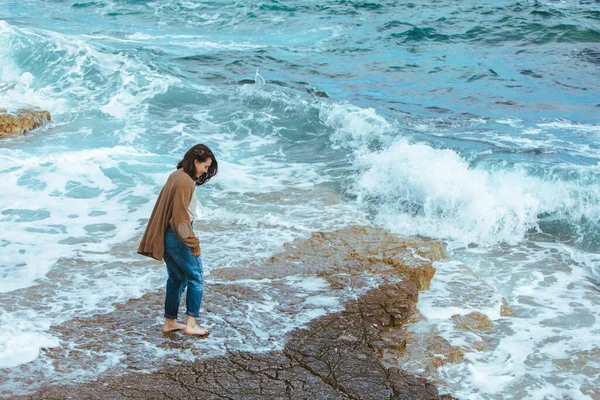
pixel 169 236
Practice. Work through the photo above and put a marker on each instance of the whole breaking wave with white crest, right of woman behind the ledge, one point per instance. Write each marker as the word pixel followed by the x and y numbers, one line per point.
pixel 416 189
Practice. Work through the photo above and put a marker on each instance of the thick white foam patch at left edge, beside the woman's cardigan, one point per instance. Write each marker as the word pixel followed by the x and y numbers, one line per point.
pixel 48 202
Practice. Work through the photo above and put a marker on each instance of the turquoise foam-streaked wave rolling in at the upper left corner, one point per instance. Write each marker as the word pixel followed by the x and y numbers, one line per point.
pixel 65 74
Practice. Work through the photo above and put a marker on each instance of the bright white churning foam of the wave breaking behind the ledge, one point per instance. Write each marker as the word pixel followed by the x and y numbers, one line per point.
pixel 423 191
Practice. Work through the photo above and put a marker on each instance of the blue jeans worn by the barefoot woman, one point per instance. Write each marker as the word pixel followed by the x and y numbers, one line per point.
pixel 184 270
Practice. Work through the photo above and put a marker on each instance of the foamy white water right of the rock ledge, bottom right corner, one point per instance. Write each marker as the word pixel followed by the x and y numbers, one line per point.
pixel 531 354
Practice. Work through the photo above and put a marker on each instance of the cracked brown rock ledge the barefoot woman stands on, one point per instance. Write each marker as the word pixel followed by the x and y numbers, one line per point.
pixel 353 352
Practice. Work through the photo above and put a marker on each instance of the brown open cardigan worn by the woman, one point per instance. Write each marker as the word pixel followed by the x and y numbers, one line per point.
pixel 170 210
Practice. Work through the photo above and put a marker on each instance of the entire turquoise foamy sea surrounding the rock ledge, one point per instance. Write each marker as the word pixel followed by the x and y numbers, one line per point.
pixel 474 123
